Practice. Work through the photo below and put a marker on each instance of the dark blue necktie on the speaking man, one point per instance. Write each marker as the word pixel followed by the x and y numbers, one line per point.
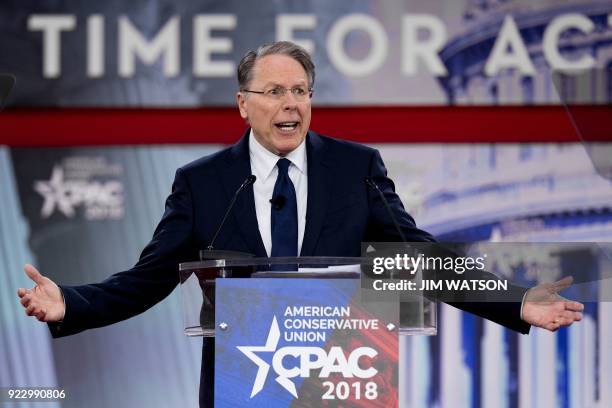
pixel 284 214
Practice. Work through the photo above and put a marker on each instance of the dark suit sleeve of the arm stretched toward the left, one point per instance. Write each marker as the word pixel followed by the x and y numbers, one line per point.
pixel 154 276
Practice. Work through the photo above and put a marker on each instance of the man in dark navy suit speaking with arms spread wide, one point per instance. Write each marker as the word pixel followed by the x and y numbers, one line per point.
pixel 326 209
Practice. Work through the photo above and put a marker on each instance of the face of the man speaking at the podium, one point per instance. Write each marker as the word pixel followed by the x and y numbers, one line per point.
pixel 279 125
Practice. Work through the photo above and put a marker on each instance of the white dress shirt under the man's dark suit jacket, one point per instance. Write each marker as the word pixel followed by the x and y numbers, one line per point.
pixel 263 166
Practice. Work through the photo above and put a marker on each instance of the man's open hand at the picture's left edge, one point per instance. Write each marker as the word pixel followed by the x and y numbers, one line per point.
pixel 44 301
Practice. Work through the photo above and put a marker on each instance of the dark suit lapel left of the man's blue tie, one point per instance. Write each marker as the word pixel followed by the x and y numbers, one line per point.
pixel 238 167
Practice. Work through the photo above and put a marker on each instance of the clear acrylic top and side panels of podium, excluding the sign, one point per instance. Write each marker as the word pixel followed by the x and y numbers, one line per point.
pixel 417 314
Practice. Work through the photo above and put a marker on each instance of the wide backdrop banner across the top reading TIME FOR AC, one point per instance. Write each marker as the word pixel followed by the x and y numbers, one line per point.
pixel 186 52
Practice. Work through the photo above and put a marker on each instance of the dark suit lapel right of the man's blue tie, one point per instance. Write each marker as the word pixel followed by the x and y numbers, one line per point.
pixel 319 189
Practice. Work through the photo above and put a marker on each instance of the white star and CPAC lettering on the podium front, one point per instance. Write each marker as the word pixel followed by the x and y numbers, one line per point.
pixel 310 358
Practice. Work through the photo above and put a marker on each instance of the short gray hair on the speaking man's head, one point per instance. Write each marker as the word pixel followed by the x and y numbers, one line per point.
pixel 245 67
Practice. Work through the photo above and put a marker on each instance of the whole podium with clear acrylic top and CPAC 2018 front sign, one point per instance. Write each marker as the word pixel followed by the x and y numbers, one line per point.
pixel 304 331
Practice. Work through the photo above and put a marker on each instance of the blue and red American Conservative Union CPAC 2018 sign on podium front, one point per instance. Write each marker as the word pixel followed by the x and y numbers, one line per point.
pixel 303 342
